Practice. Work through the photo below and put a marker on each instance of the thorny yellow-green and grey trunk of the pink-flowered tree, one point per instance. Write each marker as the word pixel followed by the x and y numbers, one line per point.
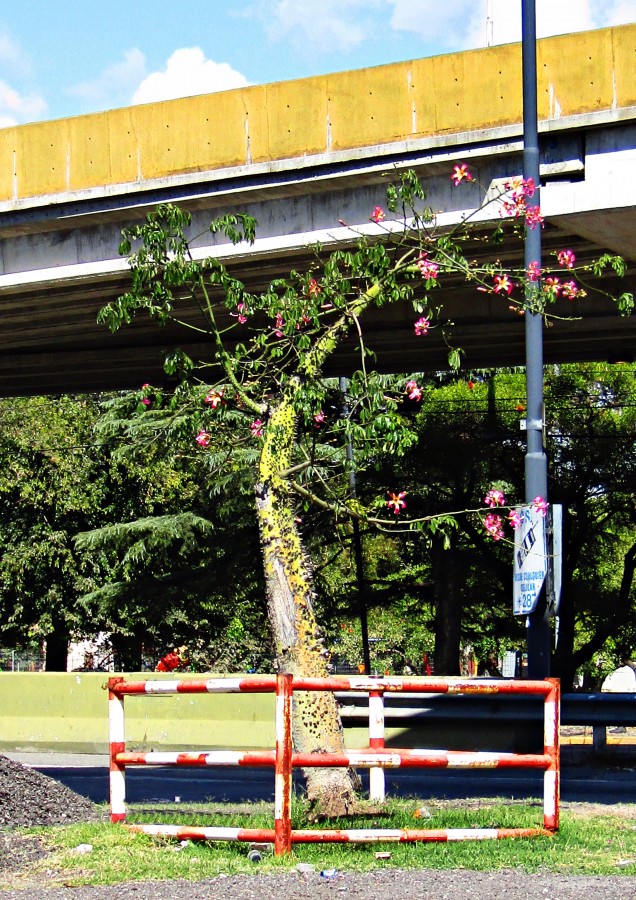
pixel 297 640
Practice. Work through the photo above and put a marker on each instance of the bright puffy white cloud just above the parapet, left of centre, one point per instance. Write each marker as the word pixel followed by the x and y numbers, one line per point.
pixel 188 72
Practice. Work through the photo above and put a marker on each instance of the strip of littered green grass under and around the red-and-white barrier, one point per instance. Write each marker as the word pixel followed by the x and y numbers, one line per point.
pixel 592 840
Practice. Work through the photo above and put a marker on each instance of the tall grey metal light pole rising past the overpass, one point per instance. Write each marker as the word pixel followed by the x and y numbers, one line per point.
pixel 536 463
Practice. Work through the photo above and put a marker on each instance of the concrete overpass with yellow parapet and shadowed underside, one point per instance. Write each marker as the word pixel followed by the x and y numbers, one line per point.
pixel 300 156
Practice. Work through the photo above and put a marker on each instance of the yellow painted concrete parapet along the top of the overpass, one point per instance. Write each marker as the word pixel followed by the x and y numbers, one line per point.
pixel 460 92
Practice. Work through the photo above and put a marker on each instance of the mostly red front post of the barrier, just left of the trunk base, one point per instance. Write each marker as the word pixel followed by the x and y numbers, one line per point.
pixel 283 765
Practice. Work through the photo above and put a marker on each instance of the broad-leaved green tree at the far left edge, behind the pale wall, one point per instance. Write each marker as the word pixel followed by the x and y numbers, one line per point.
pixel 50 488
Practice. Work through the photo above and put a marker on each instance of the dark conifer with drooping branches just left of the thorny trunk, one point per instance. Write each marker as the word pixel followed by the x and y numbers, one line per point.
pixel 186 572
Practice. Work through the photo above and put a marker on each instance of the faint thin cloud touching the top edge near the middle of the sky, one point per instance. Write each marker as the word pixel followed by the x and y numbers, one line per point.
pixel 322 26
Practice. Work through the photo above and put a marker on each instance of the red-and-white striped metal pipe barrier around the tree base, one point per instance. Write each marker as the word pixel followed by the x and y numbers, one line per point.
pixel 375 757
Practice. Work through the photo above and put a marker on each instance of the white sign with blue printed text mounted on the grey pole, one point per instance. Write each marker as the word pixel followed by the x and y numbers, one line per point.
pixel 530 560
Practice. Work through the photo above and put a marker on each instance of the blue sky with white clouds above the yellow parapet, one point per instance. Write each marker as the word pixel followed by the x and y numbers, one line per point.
pixel 63 58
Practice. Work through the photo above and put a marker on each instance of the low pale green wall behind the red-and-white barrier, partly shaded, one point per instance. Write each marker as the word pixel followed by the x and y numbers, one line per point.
pixel 68 712
